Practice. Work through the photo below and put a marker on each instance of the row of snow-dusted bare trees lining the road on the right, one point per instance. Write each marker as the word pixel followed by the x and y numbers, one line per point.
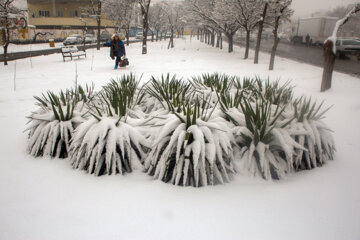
pixel 216 17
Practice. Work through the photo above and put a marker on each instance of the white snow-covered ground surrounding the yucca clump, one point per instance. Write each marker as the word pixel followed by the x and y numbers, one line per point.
pixel 43 198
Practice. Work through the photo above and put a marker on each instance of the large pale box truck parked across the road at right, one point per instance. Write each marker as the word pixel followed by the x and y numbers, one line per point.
pixel 318 28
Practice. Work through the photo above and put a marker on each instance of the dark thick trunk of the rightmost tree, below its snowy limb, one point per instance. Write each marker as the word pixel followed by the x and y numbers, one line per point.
pixel 329 62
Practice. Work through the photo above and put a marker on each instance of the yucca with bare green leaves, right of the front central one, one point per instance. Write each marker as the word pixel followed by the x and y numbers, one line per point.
pixel 266 147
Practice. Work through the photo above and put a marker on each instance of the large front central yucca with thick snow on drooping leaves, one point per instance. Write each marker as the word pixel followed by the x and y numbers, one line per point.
pixel 193 148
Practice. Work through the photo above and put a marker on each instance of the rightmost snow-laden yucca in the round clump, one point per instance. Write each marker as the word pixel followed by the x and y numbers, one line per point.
pixel 312 133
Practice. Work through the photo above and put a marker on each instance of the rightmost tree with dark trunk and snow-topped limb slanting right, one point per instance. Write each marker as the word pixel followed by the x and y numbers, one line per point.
pixel 330 49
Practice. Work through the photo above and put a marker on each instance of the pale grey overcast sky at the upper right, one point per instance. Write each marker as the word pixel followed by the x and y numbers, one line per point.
pixel 306 7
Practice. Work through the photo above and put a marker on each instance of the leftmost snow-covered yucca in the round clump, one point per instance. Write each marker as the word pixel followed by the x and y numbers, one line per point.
pixel 53 124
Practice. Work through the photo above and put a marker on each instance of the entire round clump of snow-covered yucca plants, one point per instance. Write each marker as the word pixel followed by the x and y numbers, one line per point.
pixel 188 133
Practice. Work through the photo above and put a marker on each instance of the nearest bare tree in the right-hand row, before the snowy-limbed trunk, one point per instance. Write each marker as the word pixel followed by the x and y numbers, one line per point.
pixel 279 12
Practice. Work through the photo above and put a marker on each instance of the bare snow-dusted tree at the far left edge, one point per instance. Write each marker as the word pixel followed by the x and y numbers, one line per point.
pixel 8 17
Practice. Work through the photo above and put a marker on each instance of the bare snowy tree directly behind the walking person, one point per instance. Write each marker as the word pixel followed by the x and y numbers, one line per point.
pixel 122 13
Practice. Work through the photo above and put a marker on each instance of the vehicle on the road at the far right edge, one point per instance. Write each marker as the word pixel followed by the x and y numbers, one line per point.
pixel 347 46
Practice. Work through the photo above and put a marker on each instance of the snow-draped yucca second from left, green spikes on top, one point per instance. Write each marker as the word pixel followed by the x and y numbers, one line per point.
pixel 107 143
